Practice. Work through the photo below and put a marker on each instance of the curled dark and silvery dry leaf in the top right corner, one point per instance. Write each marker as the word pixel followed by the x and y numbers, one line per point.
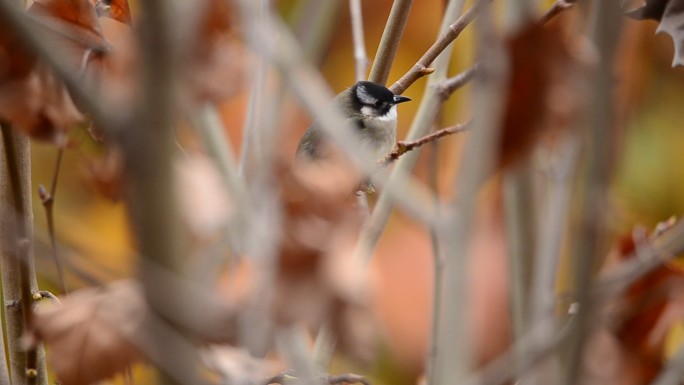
pixel 670 16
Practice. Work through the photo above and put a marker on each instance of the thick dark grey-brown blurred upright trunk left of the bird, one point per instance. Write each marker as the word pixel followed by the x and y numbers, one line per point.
pixel 148 146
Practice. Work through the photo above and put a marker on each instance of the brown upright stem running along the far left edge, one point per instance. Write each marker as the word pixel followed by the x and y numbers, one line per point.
pixel 18 272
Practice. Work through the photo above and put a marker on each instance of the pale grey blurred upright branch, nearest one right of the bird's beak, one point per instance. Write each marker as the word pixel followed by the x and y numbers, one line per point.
pixel 453 359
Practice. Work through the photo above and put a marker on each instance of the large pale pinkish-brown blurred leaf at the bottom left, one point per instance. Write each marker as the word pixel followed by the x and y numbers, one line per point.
pixel 90 335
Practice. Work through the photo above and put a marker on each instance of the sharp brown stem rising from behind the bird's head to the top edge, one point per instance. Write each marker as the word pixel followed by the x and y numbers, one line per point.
pixel 389 42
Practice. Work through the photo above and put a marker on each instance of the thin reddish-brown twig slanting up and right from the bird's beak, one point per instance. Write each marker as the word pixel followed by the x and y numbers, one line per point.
pixel 422 67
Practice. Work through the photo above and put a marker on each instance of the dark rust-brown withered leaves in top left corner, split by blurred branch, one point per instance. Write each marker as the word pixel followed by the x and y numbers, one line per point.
pixel 31 97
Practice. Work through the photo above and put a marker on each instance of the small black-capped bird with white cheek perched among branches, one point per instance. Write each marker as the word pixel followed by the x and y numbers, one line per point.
pixel 372 110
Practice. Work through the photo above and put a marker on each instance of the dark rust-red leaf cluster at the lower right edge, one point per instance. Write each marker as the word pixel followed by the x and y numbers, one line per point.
pixel 631 343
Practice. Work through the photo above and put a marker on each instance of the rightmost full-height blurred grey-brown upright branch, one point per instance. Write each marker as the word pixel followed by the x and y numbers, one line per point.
pixel 589 243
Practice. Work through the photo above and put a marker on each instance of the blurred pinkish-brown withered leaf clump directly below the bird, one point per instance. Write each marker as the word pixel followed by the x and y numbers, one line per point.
pixel 319 280
